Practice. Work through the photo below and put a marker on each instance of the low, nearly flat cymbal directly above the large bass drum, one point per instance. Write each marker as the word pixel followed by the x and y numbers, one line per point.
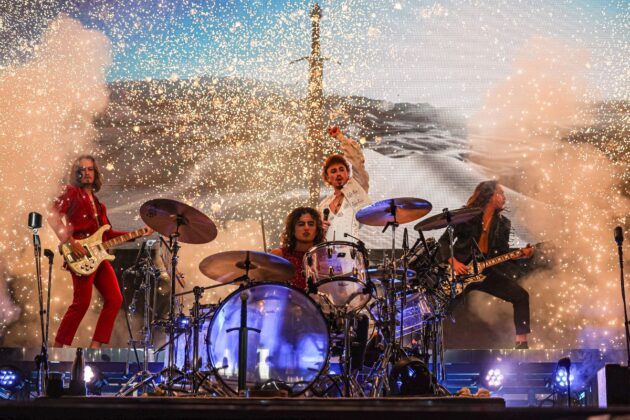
pixel 230 265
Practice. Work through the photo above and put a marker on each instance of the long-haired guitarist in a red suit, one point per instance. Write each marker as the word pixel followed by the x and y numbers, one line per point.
pixel 84 214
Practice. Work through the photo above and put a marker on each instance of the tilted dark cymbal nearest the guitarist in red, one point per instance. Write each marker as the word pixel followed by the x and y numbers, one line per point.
pixel 162 215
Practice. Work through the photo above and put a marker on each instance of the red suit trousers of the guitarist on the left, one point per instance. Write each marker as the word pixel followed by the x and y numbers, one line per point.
pixel 105 281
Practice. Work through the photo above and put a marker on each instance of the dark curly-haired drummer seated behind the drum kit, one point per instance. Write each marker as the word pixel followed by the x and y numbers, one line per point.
pixel 302 230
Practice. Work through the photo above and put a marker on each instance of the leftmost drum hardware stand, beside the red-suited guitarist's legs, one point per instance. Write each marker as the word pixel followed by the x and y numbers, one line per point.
pixel 144 379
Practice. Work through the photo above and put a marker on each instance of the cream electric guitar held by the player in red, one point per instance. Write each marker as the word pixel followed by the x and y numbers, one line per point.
pixel 96 250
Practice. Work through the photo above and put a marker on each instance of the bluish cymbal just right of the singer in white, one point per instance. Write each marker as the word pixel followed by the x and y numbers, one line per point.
pixel 407 209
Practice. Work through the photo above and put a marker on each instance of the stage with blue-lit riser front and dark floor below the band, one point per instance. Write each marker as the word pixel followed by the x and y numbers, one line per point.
pixel 527 387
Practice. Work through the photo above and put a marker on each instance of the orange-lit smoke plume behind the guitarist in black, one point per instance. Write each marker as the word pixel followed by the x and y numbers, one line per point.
pixel 518 138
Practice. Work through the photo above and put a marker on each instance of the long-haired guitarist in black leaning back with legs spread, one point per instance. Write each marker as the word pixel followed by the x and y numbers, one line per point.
pixel 491 232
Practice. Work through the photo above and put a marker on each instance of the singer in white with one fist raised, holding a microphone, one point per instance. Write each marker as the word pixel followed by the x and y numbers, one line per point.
pixel 346 174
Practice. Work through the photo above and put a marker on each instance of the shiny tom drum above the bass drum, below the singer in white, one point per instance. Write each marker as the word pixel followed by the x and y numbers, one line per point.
pixel 338 271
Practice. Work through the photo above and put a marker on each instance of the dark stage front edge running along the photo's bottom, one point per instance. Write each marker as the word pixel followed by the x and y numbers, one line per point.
pixel 157 408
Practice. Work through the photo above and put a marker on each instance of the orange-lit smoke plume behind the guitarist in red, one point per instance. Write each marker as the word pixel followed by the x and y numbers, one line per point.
pixel 46 110
